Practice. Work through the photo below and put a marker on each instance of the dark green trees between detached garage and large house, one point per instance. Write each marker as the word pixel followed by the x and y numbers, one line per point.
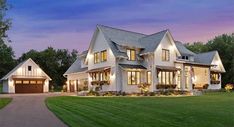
pixel 53 62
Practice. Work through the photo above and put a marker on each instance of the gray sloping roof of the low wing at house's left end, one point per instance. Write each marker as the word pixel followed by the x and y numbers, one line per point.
pixel 76 67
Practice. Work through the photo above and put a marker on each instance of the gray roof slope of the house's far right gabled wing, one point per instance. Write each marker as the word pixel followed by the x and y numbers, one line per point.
pixel 205 58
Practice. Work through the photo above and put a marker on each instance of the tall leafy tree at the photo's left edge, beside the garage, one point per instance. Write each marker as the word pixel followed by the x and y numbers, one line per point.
pixel 7 61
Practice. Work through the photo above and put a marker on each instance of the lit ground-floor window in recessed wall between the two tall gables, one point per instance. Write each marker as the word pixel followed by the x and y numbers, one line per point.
pixel 133 77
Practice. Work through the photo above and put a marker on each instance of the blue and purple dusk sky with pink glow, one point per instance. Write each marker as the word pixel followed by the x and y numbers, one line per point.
pixel 70 24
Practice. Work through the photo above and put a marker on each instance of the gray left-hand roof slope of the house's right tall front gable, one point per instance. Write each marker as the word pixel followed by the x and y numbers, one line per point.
pixel 152 41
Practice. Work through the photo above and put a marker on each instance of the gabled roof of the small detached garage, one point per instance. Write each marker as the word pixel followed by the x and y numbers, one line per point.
pixel 21 64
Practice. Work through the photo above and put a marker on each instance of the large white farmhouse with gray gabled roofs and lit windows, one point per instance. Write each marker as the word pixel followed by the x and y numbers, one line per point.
pixel 119 60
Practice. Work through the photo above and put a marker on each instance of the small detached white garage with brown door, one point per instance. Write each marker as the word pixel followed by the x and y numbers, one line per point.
pixel 27 77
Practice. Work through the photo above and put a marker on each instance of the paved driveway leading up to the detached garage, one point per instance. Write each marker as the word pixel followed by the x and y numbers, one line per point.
pixel 28 110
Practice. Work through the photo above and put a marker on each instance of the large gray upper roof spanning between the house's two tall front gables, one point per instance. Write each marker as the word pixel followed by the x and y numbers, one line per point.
pixel 131 39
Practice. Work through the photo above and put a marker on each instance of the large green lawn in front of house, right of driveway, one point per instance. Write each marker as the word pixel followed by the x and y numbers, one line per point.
pixel 212 109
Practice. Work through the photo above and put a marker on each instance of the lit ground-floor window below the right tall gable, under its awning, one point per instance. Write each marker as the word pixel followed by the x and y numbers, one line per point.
pixel 165 77
